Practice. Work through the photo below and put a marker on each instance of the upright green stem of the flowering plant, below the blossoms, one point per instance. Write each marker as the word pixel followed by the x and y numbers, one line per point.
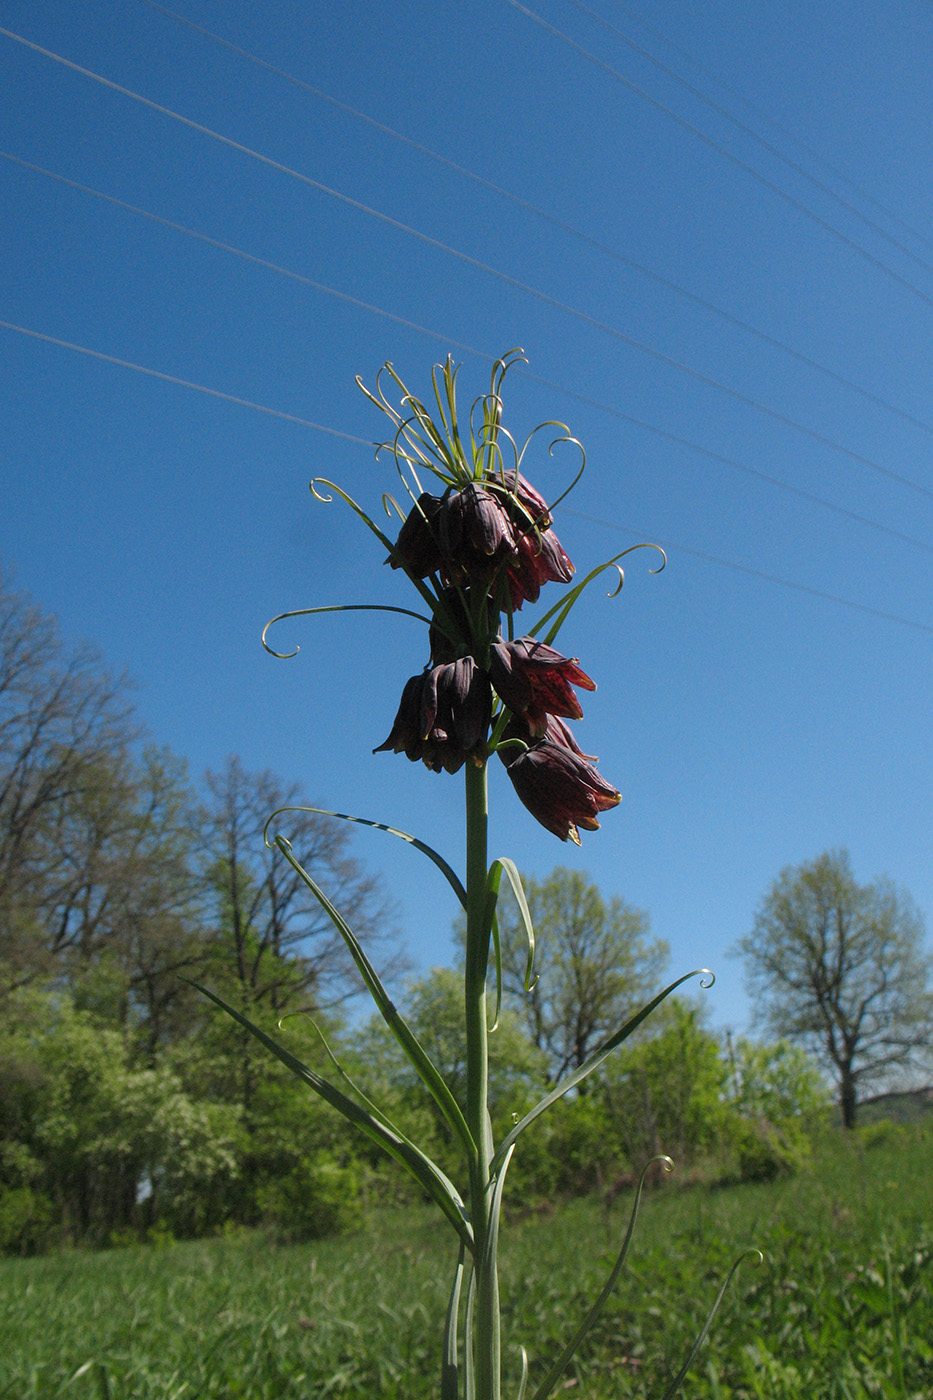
pixel 487 1347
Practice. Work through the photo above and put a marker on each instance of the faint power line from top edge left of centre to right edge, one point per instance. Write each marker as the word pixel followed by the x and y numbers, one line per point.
pixel 548 218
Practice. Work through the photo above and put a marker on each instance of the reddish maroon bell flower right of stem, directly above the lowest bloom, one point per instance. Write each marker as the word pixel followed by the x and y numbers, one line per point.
pixel 536 681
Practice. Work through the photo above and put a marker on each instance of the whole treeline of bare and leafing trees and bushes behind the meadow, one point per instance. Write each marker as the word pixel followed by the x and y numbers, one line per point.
pixel 134 1108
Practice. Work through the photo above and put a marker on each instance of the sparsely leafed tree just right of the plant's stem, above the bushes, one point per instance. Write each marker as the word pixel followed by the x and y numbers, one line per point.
pixel 595 961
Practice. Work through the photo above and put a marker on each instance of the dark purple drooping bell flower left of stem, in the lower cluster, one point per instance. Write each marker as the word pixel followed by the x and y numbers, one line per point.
pixel 443 717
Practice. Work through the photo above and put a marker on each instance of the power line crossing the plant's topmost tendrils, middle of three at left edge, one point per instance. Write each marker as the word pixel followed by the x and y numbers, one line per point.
pixel 483 355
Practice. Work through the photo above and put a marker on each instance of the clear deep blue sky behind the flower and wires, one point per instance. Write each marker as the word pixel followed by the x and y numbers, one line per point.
pixel 740 341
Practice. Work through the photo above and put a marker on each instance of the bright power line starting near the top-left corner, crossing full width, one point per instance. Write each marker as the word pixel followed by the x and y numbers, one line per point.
pixel 474 262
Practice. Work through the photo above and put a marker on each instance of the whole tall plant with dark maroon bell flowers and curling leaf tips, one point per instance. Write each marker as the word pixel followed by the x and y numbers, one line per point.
pixel 477 542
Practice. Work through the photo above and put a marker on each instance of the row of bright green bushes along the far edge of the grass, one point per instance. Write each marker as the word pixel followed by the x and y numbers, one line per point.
pixel 97 1146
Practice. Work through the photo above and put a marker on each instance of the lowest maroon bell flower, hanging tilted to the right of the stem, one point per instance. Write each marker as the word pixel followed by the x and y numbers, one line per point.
pixel 561 790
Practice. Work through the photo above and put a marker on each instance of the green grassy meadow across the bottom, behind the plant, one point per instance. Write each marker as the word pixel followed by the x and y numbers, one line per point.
pixel 841 1308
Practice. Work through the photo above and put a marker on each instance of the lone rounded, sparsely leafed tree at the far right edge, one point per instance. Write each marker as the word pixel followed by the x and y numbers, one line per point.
pixel 840 968
